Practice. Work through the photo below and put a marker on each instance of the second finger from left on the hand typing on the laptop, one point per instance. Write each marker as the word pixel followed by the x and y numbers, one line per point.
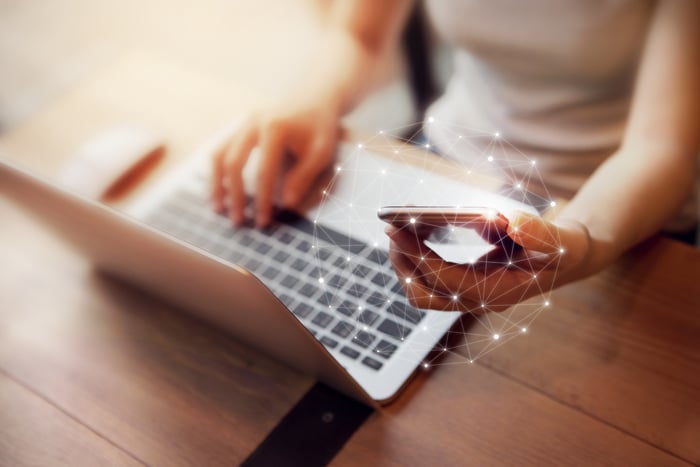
pixel 234 162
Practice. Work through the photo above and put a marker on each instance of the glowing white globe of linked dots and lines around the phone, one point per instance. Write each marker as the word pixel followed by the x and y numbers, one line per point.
pixel 454 266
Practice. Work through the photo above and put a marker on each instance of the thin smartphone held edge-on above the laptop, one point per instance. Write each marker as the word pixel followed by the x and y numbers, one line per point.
pixel 489 223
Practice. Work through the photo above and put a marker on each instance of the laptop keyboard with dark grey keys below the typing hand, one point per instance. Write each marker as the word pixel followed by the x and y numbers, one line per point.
pixel 342 289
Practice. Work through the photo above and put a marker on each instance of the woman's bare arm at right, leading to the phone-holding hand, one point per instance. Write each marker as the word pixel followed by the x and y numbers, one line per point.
pixel 638 189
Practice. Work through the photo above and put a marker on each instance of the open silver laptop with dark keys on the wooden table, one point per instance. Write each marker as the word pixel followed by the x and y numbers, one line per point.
pixel 315 290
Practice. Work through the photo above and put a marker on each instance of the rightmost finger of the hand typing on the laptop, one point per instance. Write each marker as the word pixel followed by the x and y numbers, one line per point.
pixel 306 170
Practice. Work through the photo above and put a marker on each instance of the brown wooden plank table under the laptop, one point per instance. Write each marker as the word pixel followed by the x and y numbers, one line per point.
pixel 93 371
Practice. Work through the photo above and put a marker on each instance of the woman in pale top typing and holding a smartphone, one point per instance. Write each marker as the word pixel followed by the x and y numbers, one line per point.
pixel 605 93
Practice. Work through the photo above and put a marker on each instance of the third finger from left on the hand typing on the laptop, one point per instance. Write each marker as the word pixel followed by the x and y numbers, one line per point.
pixel 272 151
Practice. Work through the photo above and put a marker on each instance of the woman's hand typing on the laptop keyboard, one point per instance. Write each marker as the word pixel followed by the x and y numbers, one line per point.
pixel 306 134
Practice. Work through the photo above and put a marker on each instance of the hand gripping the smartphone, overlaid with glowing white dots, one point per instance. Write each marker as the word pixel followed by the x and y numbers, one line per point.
pixel 551 255
